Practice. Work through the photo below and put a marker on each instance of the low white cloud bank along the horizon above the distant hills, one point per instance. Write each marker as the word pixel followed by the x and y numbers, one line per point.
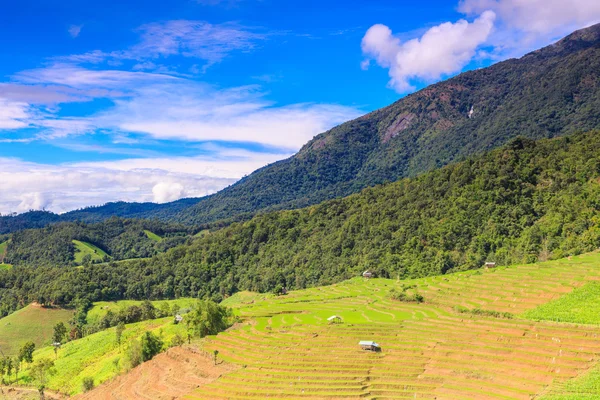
pixel 61 188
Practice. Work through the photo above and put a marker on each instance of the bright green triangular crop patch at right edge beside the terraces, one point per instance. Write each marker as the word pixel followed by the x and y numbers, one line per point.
pixel 579 306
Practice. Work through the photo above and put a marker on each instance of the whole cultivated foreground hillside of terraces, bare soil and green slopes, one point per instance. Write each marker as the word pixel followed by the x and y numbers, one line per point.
pixel 482 334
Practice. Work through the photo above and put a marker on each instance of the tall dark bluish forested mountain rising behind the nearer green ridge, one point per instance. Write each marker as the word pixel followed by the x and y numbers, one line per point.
pixel 550 92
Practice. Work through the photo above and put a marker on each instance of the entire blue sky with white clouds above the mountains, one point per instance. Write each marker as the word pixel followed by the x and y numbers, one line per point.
pixel 154 101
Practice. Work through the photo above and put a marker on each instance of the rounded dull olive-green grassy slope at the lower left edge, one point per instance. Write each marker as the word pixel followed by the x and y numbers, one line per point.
pixel 30 323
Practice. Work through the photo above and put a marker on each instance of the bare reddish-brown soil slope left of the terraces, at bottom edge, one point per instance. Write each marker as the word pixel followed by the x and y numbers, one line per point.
pixel 167 376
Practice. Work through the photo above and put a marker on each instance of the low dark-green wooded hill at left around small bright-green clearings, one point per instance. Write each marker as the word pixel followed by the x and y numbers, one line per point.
pixel 119 238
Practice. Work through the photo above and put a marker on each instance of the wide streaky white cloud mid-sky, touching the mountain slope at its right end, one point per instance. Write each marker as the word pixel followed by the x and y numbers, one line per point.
pixel 199 113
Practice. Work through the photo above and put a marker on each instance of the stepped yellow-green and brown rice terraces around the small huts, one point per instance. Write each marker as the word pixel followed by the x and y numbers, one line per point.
pixel 288 350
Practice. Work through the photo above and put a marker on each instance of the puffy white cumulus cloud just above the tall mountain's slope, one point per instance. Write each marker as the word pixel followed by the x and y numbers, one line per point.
pixel 444 49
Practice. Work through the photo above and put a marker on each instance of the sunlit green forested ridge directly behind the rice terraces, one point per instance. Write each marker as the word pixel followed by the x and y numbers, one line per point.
pixel 524 202
